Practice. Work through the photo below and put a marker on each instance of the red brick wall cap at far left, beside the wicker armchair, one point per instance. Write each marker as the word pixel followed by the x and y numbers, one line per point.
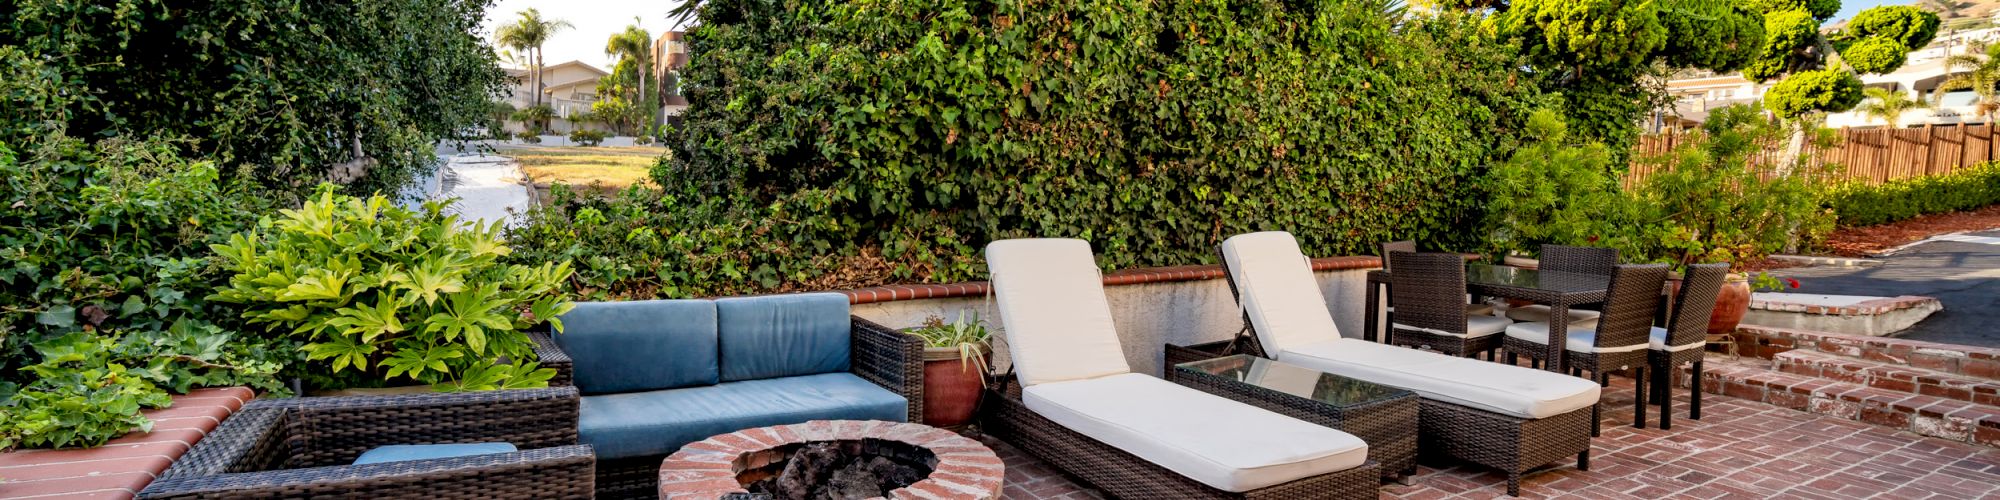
pixel 125 465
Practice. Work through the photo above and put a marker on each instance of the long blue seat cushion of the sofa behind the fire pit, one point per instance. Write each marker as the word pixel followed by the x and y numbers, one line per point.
pixel 659 423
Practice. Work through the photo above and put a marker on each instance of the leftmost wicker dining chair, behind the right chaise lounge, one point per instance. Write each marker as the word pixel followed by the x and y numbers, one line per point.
pixel 1431 307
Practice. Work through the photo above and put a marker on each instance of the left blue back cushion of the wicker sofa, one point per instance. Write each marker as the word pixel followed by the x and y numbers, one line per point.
pixel 641 345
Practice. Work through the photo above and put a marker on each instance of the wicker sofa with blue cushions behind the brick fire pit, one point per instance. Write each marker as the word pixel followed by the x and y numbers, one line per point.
pixel 657 375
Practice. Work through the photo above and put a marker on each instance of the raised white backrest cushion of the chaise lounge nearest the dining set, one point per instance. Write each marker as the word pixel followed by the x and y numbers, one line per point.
pixel 1277 291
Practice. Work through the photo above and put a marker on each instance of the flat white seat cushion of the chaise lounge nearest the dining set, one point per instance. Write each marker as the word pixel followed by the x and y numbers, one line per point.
pixel 1491 387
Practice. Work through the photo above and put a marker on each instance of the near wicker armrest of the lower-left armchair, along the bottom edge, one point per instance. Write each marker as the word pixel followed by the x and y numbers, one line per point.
pixel 543 473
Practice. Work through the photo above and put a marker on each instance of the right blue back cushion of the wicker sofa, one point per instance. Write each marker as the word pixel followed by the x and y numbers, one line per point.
pixel 769 337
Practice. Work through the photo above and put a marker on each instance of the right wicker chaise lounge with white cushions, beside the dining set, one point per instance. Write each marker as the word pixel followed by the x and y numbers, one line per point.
pixel 1495 415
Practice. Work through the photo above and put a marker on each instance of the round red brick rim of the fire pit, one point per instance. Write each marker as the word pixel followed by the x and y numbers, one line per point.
pixel 709 469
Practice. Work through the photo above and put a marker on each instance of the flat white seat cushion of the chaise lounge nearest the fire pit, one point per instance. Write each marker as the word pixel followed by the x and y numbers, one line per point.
pixel 1209 439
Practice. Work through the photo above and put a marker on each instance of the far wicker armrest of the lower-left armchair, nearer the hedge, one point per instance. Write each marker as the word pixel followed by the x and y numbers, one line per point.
pixel 337 431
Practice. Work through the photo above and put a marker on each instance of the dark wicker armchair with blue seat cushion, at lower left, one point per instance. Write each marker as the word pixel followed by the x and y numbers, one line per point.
pixel 305 449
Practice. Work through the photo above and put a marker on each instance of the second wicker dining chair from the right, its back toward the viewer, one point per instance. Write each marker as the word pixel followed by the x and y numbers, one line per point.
pixel 1617 343
